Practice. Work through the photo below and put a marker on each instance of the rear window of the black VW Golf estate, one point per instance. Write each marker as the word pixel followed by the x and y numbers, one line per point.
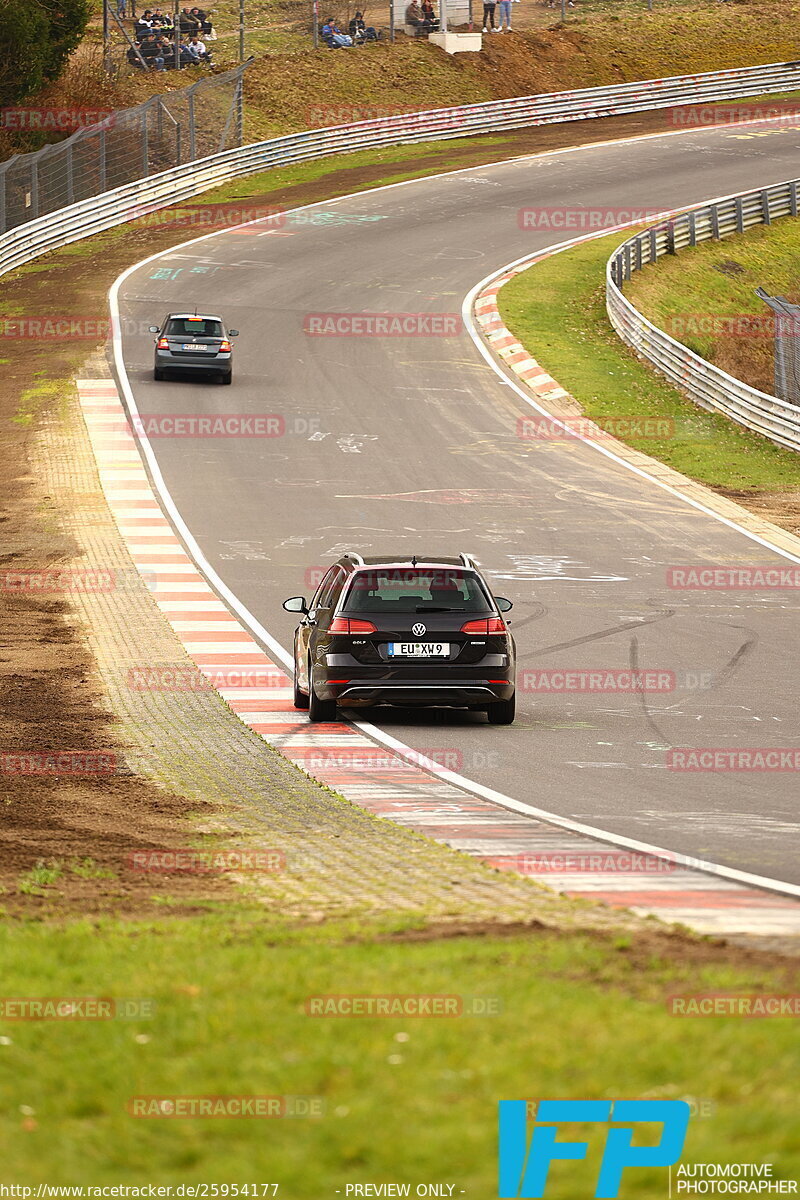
pixel 412 590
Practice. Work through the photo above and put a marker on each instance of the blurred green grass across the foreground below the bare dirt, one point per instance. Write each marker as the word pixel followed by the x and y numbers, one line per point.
pixel 405 1099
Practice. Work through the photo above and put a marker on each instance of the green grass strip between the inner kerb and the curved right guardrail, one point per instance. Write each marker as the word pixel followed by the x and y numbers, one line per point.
pixel 558 311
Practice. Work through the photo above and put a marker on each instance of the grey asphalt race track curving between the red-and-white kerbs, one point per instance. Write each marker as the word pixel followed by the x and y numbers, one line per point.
pixel 411 446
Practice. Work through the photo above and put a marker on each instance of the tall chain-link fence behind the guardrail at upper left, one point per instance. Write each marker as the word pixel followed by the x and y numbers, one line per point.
pixel 164 133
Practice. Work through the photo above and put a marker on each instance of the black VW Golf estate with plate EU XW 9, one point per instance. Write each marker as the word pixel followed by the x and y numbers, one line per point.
pixel 404 632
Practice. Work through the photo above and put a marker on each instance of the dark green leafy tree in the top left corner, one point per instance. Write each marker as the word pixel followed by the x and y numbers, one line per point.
pixel 37 39
